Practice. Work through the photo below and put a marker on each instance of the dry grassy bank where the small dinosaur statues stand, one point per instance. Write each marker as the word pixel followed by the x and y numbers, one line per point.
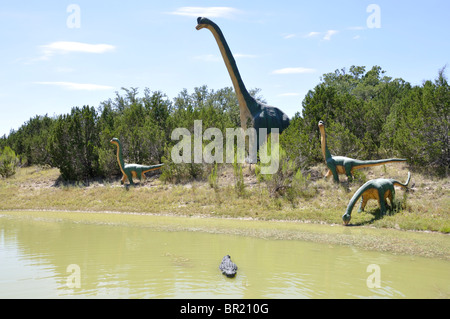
pixel 425 207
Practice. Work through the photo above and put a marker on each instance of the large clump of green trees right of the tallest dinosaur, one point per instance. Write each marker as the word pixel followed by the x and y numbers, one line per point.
pixel 369 116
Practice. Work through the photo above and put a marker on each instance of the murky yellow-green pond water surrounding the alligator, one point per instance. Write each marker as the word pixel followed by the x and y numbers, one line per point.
pixel 49 258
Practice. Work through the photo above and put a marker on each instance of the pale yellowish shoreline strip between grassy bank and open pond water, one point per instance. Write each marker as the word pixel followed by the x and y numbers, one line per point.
pixel 402 242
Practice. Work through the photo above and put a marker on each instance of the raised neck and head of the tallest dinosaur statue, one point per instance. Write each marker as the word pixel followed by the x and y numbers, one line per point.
pixel 247 103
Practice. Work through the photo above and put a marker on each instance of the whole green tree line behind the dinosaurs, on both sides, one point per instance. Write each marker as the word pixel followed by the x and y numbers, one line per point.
pixel 368 115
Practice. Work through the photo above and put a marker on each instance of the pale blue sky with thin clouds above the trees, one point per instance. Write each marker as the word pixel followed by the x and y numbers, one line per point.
pixel 59 54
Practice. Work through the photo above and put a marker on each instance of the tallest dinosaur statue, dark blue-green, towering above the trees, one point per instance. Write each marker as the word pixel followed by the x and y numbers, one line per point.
pixel 261 115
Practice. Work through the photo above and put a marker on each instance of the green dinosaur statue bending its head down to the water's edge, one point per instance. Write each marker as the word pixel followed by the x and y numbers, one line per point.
pixel 378 189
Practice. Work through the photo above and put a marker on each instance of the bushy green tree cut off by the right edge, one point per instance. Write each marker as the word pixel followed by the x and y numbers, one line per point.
pixel 419 128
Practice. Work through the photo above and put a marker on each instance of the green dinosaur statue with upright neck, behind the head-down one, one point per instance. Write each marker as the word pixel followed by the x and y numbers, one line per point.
pixel 345 165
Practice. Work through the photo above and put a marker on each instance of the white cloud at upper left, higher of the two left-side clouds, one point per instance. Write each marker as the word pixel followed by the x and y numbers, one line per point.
pixel 63 47
